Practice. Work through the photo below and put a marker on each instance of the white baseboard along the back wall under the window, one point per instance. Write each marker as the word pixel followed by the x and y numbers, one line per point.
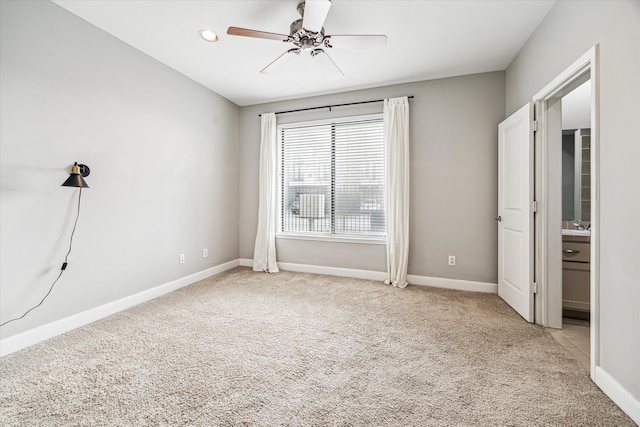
pixel 437 282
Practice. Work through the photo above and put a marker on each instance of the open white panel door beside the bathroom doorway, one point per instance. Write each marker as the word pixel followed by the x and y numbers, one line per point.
pixel 515 211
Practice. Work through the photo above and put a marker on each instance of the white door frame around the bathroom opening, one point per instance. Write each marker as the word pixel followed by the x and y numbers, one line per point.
pixel 548 237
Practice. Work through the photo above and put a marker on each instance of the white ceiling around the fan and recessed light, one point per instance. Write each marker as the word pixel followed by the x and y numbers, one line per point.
pixel 426 40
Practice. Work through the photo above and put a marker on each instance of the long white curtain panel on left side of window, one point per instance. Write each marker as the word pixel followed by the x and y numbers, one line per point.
pixel 264 254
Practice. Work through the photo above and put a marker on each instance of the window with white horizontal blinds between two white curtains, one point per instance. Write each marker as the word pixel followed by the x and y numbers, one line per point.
pixel 332 178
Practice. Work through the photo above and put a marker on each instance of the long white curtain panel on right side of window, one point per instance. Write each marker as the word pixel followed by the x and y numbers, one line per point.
pixel 396 131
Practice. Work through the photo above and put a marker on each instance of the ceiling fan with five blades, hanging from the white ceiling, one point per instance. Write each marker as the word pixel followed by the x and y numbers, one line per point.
pixel 307 35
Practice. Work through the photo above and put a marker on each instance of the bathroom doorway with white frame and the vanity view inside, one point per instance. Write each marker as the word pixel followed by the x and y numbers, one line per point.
pixel 572 218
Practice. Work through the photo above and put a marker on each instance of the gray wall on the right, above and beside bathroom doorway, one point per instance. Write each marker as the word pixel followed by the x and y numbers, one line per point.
pixel 568 31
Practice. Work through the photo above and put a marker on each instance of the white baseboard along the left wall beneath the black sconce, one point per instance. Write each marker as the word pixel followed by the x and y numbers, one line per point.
pixel 34 336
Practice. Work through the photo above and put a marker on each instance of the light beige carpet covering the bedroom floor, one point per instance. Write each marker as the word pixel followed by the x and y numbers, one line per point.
pixel 245 348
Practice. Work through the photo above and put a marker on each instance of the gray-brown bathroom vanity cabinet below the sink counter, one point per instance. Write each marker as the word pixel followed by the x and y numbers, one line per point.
pixel 576 287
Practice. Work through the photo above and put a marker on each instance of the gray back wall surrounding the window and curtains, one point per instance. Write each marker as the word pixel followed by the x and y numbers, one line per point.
pixel 453 178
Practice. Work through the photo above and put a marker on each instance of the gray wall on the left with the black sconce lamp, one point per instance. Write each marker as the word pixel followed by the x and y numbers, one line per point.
pixel 162 151
